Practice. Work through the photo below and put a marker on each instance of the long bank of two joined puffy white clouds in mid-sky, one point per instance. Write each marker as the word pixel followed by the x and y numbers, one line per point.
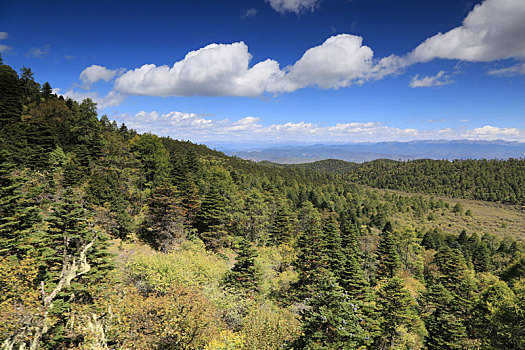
pixel 224 70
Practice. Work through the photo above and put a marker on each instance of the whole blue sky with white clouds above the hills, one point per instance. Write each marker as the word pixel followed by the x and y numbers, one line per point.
pixel 283 70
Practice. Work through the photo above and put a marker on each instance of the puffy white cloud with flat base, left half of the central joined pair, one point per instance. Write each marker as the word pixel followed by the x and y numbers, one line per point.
pixel 215 70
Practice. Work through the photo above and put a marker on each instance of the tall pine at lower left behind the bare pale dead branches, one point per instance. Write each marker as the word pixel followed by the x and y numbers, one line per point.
pixel 69 228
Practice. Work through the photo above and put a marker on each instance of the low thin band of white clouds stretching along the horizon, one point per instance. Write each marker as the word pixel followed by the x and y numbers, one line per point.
pixel 200 128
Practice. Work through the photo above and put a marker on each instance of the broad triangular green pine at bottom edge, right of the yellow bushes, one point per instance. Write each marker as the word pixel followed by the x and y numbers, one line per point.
pixel 332 320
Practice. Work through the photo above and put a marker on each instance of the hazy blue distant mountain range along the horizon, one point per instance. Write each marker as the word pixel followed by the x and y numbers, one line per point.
pixel 362 152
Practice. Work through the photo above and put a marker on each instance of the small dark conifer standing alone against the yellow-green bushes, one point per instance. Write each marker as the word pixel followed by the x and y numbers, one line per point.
pixel 244 276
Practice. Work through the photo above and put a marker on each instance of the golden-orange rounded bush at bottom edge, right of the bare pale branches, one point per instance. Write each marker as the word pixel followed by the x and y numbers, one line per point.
pixel 181 319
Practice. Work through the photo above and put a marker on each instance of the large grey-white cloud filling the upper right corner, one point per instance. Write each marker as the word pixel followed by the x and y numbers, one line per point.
pixel 493 30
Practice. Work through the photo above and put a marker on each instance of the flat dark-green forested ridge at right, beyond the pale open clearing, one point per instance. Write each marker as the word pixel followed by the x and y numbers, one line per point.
pixel 488 180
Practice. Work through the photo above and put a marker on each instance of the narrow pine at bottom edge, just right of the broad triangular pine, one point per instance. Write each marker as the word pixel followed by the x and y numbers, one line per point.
pixel 400 324
